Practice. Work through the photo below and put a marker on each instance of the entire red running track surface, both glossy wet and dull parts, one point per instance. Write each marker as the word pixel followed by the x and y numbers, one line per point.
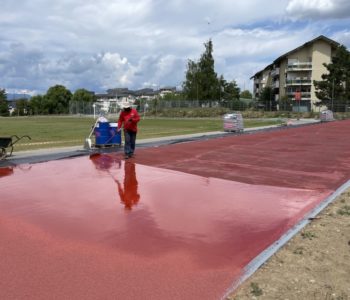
pixel 176 222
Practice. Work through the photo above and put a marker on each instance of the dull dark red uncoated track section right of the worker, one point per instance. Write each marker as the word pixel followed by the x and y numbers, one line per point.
pixel 310 157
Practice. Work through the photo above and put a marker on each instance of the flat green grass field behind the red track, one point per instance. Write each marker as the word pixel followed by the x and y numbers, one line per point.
pixel 54 131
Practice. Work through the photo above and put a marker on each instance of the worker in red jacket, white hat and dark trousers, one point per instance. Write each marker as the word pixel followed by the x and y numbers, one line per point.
pixel 128 118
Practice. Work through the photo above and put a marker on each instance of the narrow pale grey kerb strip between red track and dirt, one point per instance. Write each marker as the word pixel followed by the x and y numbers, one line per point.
pixel 259 260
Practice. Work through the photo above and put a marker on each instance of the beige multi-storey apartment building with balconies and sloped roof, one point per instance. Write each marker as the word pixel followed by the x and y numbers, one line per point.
pixel 295 72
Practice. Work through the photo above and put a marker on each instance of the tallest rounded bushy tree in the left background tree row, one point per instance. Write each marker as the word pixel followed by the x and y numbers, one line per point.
pixel 57 100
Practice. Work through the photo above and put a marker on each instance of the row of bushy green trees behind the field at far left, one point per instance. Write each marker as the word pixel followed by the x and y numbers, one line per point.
pixel 55 101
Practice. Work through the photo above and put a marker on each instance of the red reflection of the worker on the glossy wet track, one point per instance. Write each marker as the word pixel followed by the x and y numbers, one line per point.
pixel 129 194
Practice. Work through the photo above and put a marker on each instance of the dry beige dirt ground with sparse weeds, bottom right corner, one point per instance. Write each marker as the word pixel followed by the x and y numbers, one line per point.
pixel 315 264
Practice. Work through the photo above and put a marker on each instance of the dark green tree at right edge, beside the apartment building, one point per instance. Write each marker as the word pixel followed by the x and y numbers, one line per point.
pixel 334 88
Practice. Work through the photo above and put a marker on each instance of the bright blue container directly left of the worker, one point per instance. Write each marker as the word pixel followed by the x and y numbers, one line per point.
pixel 106 135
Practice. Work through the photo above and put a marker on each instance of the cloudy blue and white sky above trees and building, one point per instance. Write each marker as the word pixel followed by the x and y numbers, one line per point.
pixel 103 44
